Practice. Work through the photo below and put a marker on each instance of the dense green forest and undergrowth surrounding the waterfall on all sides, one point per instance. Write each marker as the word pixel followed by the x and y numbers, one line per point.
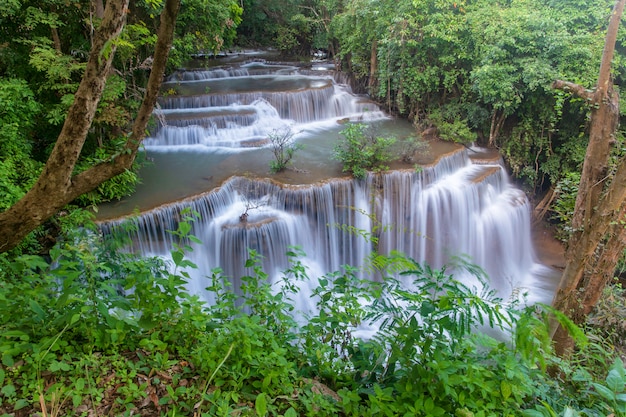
pixel 88 329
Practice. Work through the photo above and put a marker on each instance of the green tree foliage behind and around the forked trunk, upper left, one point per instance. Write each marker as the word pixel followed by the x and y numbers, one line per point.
pixel 44 51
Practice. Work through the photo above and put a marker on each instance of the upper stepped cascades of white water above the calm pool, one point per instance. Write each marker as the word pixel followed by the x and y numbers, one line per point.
pixel 231 108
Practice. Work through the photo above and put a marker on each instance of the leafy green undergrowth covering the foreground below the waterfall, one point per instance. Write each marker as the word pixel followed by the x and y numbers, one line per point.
pixel 95 329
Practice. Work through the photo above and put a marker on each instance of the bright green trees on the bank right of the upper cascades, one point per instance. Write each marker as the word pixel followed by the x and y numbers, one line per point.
pixel 481 68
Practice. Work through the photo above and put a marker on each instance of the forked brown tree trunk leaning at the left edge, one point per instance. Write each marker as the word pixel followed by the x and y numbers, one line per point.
pixel 57 186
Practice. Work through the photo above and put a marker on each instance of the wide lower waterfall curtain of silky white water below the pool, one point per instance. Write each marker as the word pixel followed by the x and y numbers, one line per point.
pixel 454 208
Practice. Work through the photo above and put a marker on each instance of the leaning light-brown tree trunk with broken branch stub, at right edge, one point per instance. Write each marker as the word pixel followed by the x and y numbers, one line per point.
pixel 599 203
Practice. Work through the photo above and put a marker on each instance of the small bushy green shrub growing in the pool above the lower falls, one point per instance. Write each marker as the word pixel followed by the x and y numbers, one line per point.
pixel 360 151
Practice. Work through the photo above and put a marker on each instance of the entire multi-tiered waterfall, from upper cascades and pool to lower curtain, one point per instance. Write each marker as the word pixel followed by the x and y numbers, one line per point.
pixel 223 117
